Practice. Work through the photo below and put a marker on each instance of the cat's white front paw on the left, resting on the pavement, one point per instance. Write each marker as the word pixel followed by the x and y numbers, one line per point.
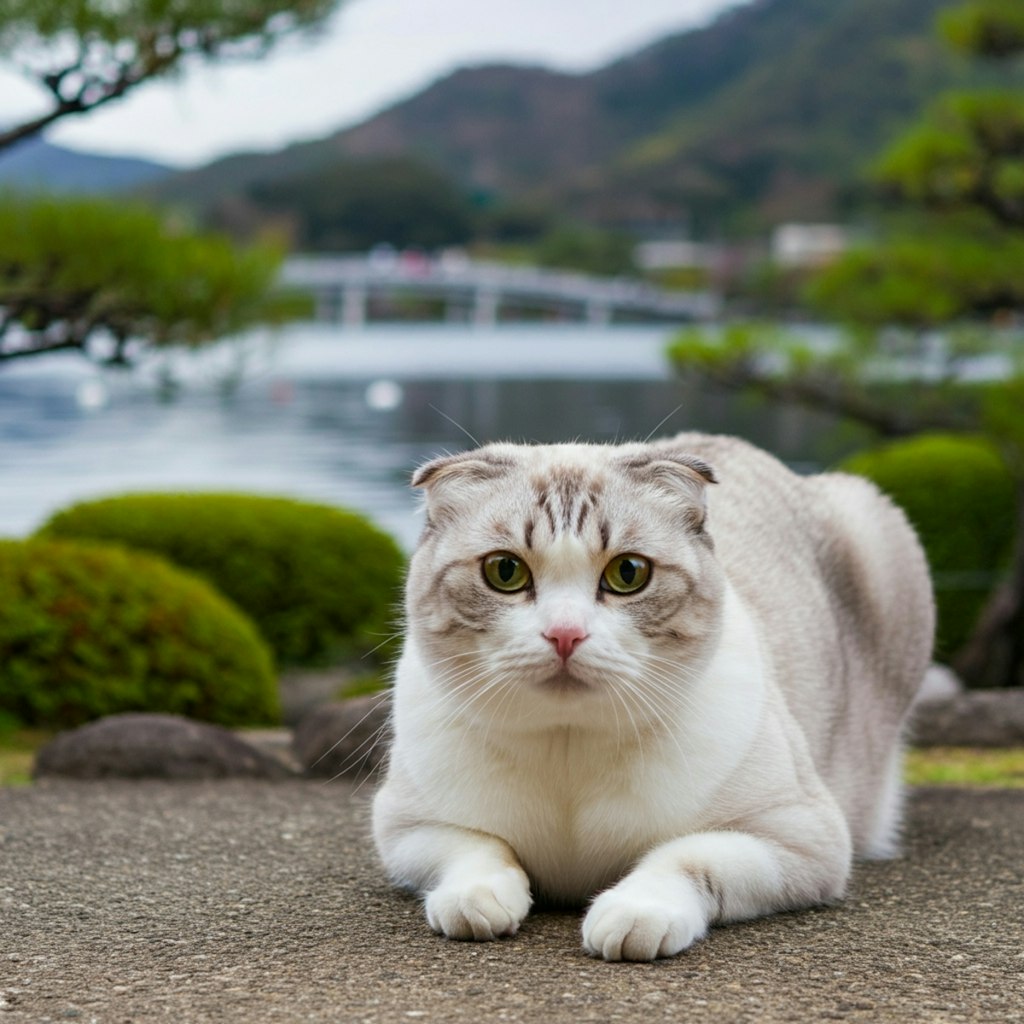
pixel 483 909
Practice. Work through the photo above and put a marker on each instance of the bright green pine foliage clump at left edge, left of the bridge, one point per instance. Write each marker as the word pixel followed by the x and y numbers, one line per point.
pixel 75 275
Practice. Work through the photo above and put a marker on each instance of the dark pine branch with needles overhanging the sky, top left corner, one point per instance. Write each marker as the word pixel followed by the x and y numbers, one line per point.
pixel 84 54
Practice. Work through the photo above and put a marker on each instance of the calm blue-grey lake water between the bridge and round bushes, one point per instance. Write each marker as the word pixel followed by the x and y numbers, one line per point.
pixel 345 416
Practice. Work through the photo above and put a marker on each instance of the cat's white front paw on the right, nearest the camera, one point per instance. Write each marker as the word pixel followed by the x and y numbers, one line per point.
pixel 643 921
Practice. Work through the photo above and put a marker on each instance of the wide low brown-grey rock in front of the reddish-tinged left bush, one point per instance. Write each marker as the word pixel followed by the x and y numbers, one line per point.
pixel 145 746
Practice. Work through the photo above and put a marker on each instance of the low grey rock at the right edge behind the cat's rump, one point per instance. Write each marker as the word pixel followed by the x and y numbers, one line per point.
pixel 975 718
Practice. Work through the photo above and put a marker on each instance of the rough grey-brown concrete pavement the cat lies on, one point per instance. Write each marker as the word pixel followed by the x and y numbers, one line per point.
pixel 258 902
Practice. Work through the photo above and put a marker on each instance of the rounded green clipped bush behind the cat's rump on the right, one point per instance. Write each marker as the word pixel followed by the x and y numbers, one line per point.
pixel 960 497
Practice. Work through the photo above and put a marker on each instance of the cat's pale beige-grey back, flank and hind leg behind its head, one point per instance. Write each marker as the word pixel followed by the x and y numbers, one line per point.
pixel 839 583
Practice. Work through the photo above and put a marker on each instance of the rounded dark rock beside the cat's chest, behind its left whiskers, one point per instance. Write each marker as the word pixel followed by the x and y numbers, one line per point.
pixel 351 738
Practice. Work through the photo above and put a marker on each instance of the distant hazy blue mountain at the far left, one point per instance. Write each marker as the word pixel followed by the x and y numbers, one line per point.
pixel 38 166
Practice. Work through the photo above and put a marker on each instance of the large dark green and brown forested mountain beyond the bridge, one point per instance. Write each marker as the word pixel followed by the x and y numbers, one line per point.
pixel 770 113
